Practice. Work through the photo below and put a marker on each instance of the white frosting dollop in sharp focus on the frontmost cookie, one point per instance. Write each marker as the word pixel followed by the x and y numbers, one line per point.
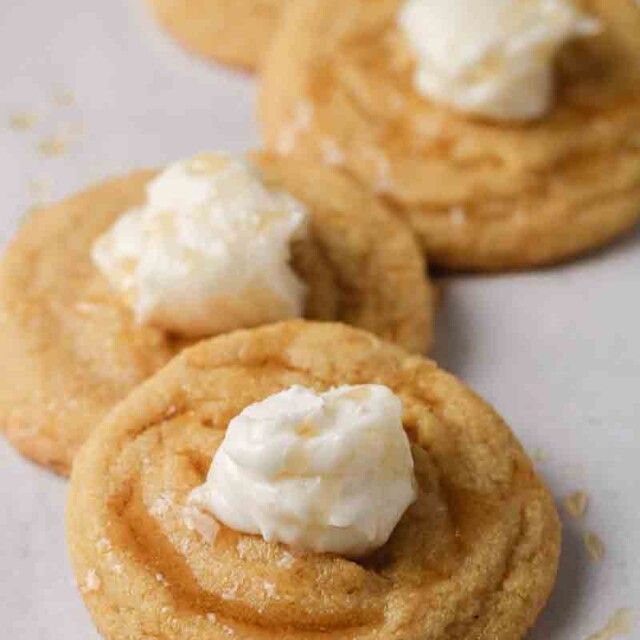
pixel 324 472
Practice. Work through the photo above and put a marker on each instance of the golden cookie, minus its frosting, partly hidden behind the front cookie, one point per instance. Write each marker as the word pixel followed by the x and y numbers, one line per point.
pixel 73 349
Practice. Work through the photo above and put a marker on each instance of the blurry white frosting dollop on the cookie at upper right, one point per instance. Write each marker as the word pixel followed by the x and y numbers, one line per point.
pixel 493 58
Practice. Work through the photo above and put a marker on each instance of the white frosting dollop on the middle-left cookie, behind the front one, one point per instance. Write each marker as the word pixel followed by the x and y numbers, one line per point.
pixel 209 251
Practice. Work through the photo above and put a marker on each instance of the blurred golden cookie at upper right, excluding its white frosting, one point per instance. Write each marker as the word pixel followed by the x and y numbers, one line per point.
pixel 338 85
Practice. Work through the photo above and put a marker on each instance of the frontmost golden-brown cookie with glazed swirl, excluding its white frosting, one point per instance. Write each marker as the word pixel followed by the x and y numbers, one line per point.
pixel 474 558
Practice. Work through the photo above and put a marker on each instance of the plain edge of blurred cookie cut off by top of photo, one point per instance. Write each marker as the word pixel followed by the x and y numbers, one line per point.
pixel 237 32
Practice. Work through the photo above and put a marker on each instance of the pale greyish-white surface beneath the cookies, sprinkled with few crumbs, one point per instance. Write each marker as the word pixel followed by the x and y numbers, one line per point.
pixel 557 352
